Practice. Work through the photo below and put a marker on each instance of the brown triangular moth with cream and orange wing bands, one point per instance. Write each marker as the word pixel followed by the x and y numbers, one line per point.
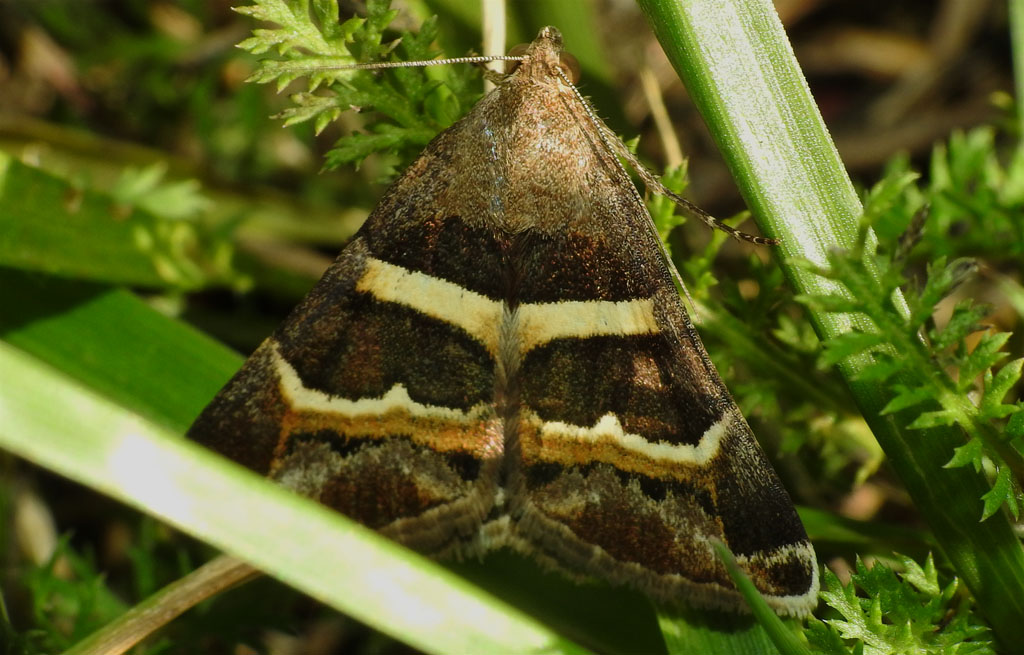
pixel 500 359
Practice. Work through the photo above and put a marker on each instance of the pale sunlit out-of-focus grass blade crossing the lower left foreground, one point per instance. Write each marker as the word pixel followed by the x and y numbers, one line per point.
pixel 97 443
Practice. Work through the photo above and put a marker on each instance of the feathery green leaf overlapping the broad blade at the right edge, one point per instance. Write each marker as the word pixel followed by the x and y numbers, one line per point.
pixel 918 370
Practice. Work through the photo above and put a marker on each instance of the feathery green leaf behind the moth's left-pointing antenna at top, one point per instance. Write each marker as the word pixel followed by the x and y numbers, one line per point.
pixel 404 108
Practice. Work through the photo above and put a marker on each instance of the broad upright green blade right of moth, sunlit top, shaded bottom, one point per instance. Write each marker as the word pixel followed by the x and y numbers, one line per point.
pixel 741 72
